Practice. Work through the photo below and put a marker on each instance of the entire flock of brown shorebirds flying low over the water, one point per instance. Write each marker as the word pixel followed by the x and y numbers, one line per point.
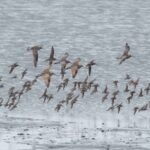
pixel 80 87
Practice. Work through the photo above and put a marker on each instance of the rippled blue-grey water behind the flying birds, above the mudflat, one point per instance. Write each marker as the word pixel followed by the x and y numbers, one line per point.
pixel 89 29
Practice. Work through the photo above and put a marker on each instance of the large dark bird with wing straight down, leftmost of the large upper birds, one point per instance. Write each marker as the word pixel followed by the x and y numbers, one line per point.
pixel 35 50
